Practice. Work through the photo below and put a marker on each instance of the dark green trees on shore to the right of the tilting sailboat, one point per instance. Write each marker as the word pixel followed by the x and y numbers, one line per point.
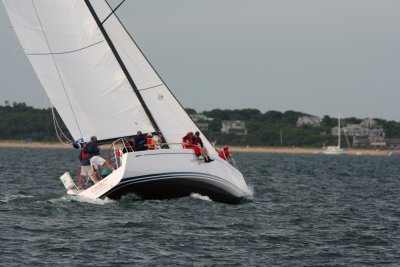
pixel 274 128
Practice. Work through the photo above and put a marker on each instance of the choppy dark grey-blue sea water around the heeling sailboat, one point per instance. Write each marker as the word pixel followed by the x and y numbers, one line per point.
pixel 307 210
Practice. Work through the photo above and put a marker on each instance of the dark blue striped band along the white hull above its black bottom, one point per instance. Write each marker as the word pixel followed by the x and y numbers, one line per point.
pixel 126 182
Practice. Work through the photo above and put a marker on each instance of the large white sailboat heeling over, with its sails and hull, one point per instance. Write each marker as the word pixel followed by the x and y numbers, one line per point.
pixel 101 84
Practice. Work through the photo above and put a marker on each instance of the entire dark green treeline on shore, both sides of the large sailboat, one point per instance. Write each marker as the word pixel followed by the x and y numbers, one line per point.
pixel 272 128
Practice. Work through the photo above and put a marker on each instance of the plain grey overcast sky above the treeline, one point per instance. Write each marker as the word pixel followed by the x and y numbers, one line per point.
pixel 321 57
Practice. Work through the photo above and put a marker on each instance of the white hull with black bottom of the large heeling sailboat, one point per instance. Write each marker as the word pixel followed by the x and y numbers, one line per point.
pixel 170 173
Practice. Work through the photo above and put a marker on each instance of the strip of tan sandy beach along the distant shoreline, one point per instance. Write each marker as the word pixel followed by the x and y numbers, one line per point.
pixel 248 149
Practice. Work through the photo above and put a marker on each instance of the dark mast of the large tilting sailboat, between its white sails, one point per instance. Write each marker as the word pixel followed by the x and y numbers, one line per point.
pixel 123 67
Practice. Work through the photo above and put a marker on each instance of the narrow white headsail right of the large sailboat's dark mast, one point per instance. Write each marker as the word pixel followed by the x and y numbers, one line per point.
pixel 171 118
